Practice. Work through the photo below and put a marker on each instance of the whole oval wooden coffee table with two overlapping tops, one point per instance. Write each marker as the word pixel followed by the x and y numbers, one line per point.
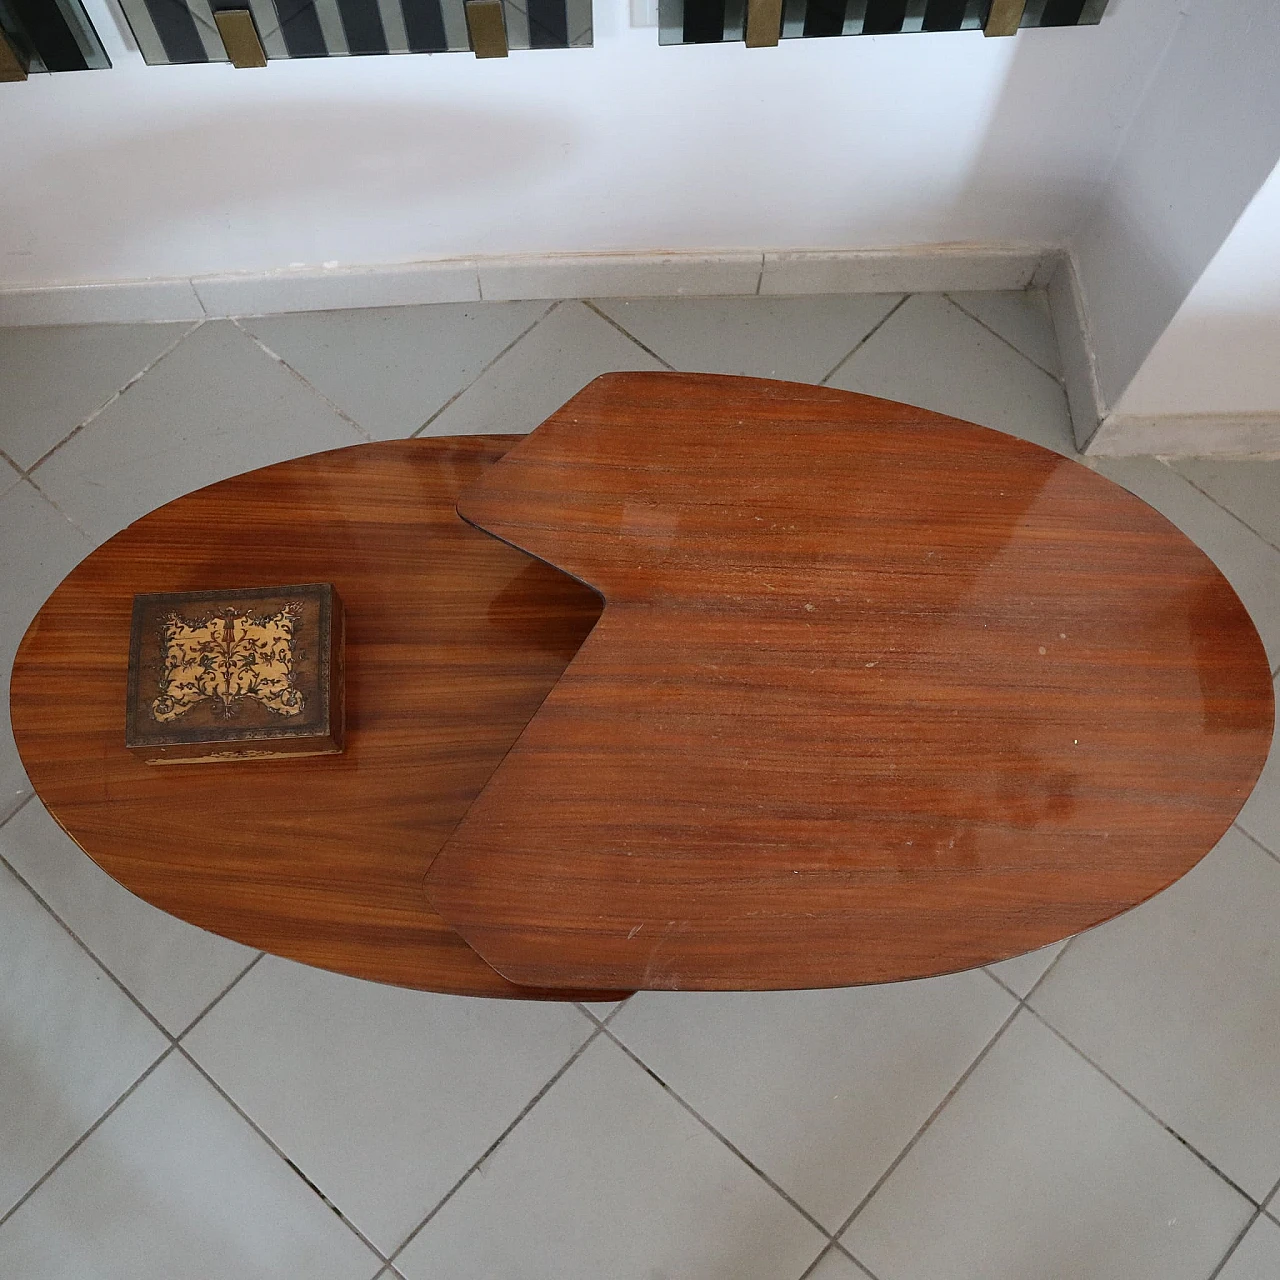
pixel 875 694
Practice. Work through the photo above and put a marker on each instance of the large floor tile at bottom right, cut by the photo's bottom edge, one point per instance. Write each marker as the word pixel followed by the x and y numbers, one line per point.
pixel 1040 1167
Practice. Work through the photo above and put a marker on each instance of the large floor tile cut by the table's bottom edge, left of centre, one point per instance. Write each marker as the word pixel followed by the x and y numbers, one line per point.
pixel 383 1098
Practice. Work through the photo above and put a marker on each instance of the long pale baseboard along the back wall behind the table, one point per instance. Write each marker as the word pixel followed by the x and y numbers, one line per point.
pixel 911 269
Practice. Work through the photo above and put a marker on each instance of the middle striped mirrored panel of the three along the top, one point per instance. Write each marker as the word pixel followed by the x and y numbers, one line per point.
pixel 186 31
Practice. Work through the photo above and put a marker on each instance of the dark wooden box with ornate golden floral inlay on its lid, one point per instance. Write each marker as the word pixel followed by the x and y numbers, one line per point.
pixel 236 675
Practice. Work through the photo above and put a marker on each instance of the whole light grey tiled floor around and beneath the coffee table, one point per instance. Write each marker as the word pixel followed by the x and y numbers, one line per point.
pixel 176 1108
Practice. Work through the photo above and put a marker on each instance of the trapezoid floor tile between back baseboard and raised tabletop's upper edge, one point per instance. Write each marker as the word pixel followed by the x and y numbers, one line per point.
pixel 796 340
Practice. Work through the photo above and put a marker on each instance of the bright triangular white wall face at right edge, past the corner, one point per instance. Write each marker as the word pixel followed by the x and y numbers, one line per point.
pixel 1222 353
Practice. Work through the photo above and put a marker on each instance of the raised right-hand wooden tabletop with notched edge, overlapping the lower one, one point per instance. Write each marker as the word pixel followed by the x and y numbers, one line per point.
pixel 877 694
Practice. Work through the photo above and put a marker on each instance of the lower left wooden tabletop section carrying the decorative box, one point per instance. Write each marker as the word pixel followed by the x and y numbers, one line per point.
pixel 452 642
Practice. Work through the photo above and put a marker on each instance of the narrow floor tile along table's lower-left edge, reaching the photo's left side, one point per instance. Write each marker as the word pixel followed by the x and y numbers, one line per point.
pixel 171 967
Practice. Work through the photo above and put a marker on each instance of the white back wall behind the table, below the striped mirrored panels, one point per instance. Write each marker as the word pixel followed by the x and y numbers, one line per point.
pixel 842 144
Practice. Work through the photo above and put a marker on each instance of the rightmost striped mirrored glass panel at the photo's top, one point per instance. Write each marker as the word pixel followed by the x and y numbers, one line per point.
pixel 701 22
